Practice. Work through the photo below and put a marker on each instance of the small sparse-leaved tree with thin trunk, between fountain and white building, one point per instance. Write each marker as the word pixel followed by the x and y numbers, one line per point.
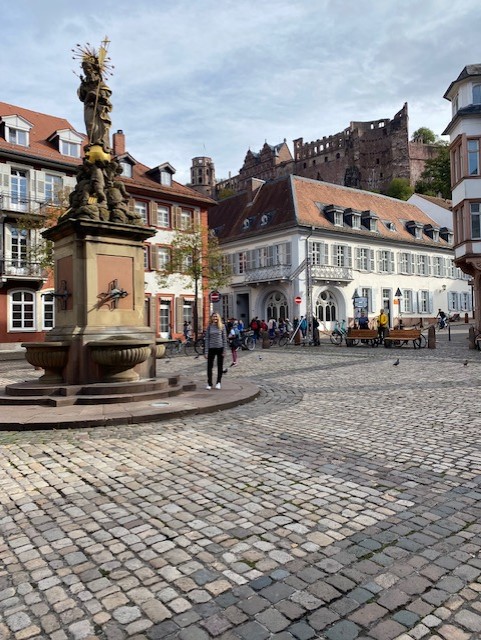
pixel 196 255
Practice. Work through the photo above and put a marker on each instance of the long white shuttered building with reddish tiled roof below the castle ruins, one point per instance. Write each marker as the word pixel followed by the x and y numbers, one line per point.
pixel 329 245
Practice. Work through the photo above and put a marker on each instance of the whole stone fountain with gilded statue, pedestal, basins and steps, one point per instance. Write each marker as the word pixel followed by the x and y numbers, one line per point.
pixel 100 349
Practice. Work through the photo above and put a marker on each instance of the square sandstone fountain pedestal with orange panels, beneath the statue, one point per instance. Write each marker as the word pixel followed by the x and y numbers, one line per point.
pixel 99 270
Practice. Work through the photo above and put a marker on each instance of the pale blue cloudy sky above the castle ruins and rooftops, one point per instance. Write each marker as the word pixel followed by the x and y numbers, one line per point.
pixel 217 77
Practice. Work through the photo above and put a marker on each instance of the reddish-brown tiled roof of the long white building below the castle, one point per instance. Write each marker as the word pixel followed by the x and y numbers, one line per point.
pixel 293 201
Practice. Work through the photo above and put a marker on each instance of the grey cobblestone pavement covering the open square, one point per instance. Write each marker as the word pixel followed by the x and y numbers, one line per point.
pixel 344 504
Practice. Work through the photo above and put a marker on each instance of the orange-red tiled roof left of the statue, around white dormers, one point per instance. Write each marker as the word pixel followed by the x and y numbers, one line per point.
pixel 43 128
